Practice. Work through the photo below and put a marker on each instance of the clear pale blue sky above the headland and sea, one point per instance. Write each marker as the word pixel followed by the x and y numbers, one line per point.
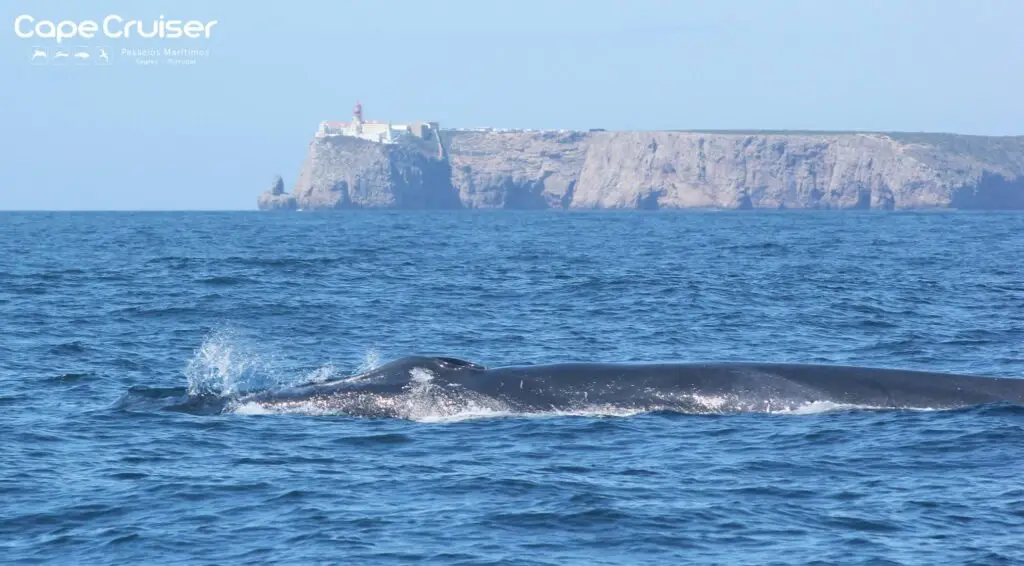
pixel 211 136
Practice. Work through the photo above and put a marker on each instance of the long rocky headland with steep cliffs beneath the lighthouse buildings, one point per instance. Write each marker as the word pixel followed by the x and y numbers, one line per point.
pixel 663 170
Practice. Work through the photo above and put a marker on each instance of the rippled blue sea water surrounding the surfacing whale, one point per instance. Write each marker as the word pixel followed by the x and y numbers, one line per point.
pixel 105 316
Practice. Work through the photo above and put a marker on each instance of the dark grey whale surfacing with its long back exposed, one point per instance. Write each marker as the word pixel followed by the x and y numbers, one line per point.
pixel 450 384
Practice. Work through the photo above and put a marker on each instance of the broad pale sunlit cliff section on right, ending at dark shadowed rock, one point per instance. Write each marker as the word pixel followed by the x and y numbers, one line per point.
pixel 685 170
